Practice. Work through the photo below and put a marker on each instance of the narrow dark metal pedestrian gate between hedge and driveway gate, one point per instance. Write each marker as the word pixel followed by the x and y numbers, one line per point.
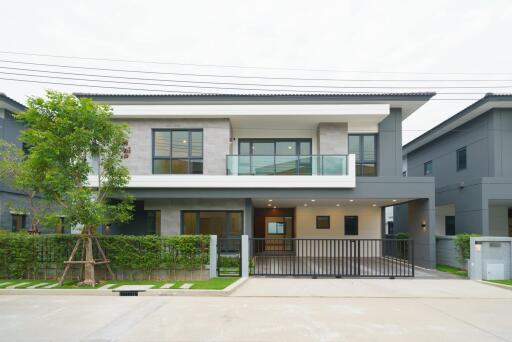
pixel 229 257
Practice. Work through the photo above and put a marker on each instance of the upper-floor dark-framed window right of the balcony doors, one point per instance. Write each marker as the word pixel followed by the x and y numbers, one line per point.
pixel 364 146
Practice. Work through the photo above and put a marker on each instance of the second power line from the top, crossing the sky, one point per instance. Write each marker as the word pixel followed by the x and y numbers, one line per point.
pixel 255 77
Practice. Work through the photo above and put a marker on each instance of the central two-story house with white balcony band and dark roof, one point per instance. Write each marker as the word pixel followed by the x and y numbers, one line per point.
pixel 320 166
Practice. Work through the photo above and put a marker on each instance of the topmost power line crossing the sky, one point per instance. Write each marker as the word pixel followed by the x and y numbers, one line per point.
pixel 247 67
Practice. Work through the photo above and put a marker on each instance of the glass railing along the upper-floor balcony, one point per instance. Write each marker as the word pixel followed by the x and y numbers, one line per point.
pixel 312 165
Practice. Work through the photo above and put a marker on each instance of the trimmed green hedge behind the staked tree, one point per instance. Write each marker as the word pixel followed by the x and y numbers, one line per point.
pixel 22 254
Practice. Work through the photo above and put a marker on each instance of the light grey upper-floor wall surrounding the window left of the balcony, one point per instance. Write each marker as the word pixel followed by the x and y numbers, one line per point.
pixel 216 142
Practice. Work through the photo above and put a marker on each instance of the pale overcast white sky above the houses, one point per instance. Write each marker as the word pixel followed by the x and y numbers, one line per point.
pixel 395 45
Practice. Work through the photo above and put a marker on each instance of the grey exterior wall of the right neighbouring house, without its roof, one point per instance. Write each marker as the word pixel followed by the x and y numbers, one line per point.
pixel 488 176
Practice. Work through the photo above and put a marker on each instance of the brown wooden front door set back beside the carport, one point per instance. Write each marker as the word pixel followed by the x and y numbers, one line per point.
pixel 278 228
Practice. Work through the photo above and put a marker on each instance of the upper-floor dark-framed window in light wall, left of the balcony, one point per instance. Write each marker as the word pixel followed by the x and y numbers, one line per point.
pixel 177 151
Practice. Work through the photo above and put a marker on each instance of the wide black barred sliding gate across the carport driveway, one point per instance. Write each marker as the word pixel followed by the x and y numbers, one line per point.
pixel 307 257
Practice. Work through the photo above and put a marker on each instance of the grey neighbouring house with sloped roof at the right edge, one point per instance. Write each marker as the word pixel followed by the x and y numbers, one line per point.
pixel 470 156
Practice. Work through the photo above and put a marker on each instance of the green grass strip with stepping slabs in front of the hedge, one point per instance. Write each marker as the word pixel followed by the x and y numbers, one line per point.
pixel 209 284
